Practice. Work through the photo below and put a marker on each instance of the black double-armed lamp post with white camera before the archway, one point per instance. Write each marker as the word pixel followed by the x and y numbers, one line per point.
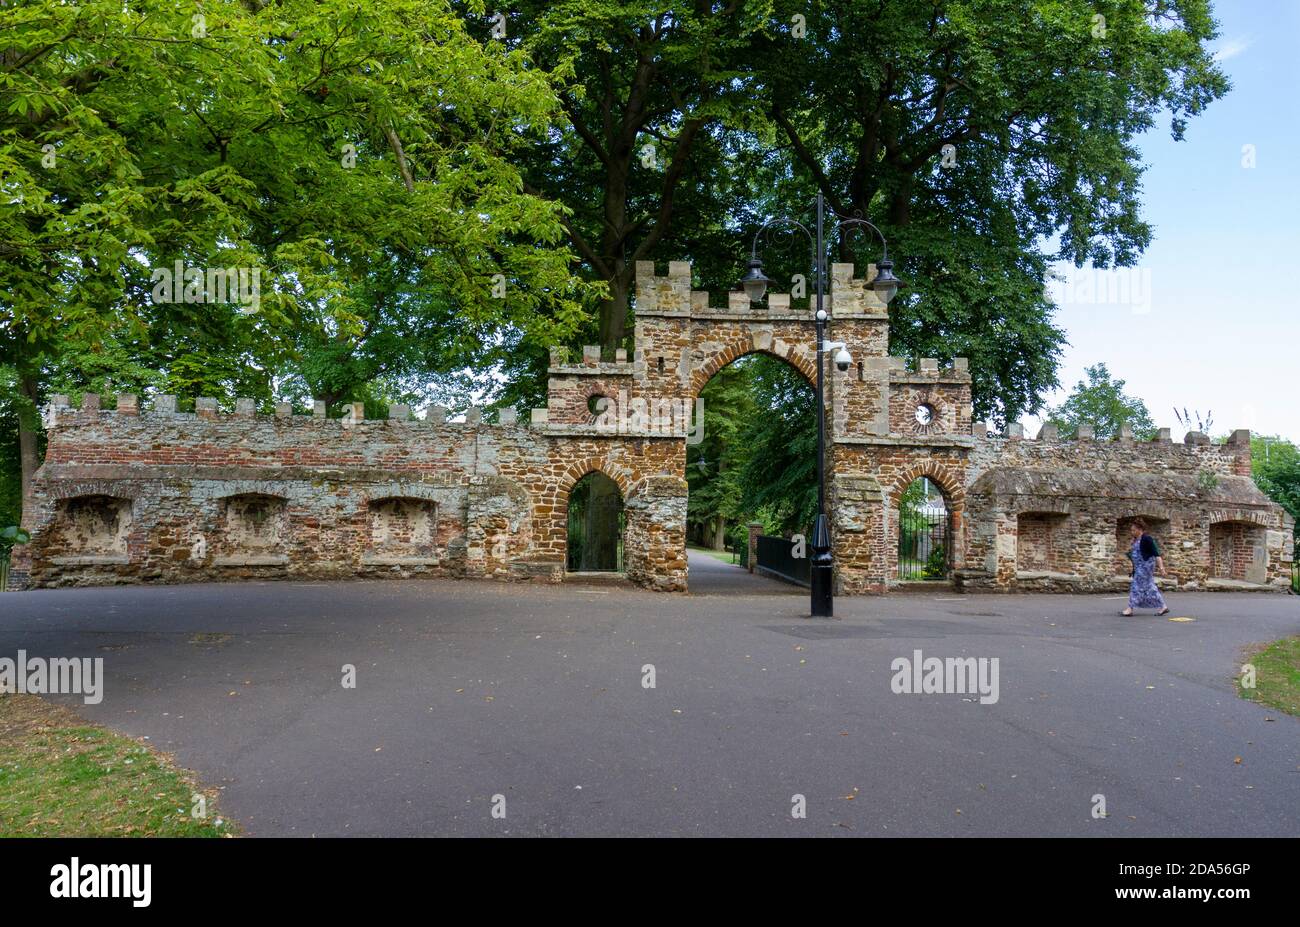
pixel 886 287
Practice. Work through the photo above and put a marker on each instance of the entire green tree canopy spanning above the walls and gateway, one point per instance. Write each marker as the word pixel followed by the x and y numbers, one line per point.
pixel 432 193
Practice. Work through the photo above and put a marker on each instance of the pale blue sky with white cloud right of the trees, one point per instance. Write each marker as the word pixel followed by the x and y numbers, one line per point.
pixel 1217 324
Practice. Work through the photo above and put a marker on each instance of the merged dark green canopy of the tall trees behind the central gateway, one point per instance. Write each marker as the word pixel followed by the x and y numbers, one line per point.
pixel 987 138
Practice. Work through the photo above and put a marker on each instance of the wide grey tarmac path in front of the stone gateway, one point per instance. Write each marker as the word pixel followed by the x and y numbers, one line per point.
pixel 469 691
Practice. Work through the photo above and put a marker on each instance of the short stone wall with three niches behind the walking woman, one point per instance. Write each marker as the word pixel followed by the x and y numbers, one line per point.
pixel 1051 514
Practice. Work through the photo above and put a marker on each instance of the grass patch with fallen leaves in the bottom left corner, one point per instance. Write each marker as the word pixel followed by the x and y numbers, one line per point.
pixel 62 777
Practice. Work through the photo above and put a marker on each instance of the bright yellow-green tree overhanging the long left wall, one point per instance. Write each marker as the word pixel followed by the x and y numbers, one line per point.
pixel 363 167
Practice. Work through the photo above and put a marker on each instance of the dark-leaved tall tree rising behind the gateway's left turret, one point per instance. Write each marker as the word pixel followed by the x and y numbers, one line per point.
pixel 640 157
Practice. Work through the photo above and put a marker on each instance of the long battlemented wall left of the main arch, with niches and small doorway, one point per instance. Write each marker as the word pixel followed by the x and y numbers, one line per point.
pixel 162 497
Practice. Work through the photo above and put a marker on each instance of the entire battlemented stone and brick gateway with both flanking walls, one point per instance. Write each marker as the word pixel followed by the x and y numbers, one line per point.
pixel 154 496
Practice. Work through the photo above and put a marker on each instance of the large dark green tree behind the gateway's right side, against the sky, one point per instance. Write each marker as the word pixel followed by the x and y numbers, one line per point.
pixel 977 135
